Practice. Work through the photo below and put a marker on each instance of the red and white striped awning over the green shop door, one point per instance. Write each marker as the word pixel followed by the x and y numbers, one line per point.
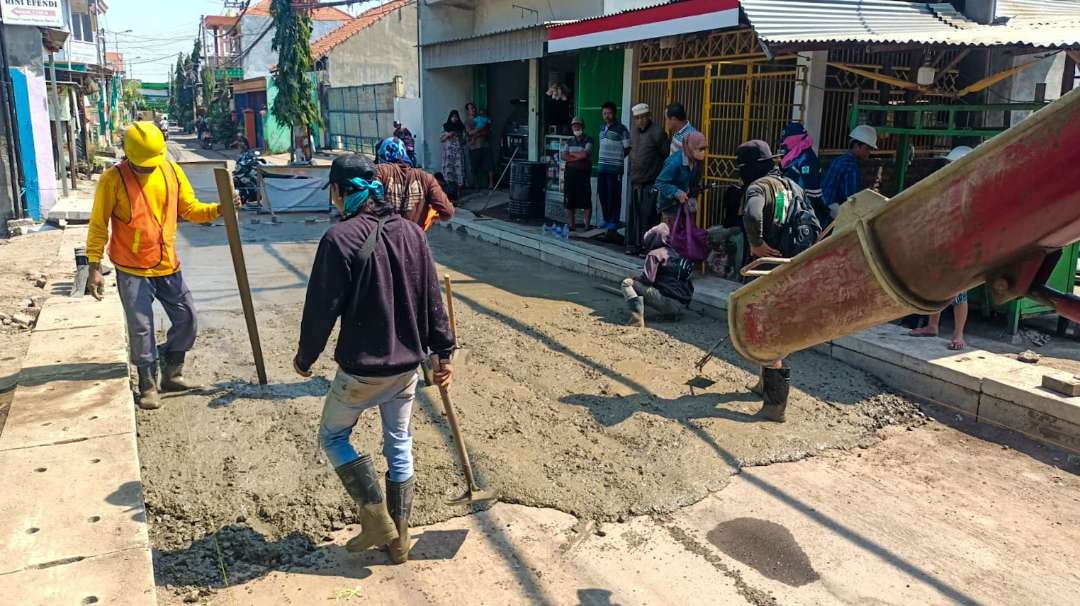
pixel 687 17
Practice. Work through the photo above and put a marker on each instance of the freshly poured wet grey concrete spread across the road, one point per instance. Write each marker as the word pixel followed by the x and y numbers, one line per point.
pixel 564 408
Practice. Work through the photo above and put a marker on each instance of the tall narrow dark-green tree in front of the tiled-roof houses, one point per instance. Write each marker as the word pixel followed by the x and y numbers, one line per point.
pixel 294 104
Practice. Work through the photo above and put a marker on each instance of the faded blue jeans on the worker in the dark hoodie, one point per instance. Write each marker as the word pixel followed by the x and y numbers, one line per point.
pixel 349 397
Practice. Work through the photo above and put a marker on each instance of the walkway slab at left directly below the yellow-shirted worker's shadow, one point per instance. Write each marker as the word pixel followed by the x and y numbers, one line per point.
pixel 64 410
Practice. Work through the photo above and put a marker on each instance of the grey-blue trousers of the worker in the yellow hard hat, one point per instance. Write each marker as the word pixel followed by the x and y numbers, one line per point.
pixel 138 295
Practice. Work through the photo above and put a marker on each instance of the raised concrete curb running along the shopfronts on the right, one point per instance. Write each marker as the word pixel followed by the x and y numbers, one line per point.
pixel 989 387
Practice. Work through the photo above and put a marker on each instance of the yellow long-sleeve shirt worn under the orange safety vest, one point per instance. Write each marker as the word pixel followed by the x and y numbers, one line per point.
pixel 112 199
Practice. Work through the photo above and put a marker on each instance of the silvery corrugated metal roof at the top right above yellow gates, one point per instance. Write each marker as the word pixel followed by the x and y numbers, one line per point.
pixel 889 22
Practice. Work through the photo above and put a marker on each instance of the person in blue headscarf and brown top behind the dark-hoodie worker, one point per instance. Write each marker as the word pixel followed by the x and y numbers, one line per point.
pixel 415 194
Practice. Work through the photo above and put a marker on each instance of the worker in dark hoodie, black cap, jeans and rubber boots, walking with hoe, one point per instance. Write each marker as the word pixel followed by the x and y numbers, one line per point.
pixel 374 271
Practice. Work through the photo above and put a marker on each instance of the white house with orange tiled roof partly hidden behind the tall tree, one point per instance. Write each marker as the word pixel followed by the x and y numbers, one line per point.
pixel 256 36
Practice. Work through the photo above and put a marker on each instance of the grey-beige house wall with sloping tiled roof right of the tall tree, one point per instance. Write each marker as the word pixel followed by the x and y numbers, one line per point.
pixel 374 48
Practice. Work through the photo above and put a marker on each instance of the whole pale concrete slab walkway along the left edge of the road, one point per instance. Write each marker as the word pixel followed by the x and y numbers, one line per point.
pixel 75 531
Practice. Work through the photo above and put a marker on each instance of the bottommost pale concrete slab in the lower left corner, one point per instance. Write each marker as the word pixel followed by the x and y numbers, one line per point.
pixel 117 580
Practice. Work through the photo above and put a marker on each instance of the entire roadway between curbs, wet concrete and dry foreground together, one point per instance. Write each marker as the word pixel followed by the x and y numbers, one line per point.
pixel 564 409
